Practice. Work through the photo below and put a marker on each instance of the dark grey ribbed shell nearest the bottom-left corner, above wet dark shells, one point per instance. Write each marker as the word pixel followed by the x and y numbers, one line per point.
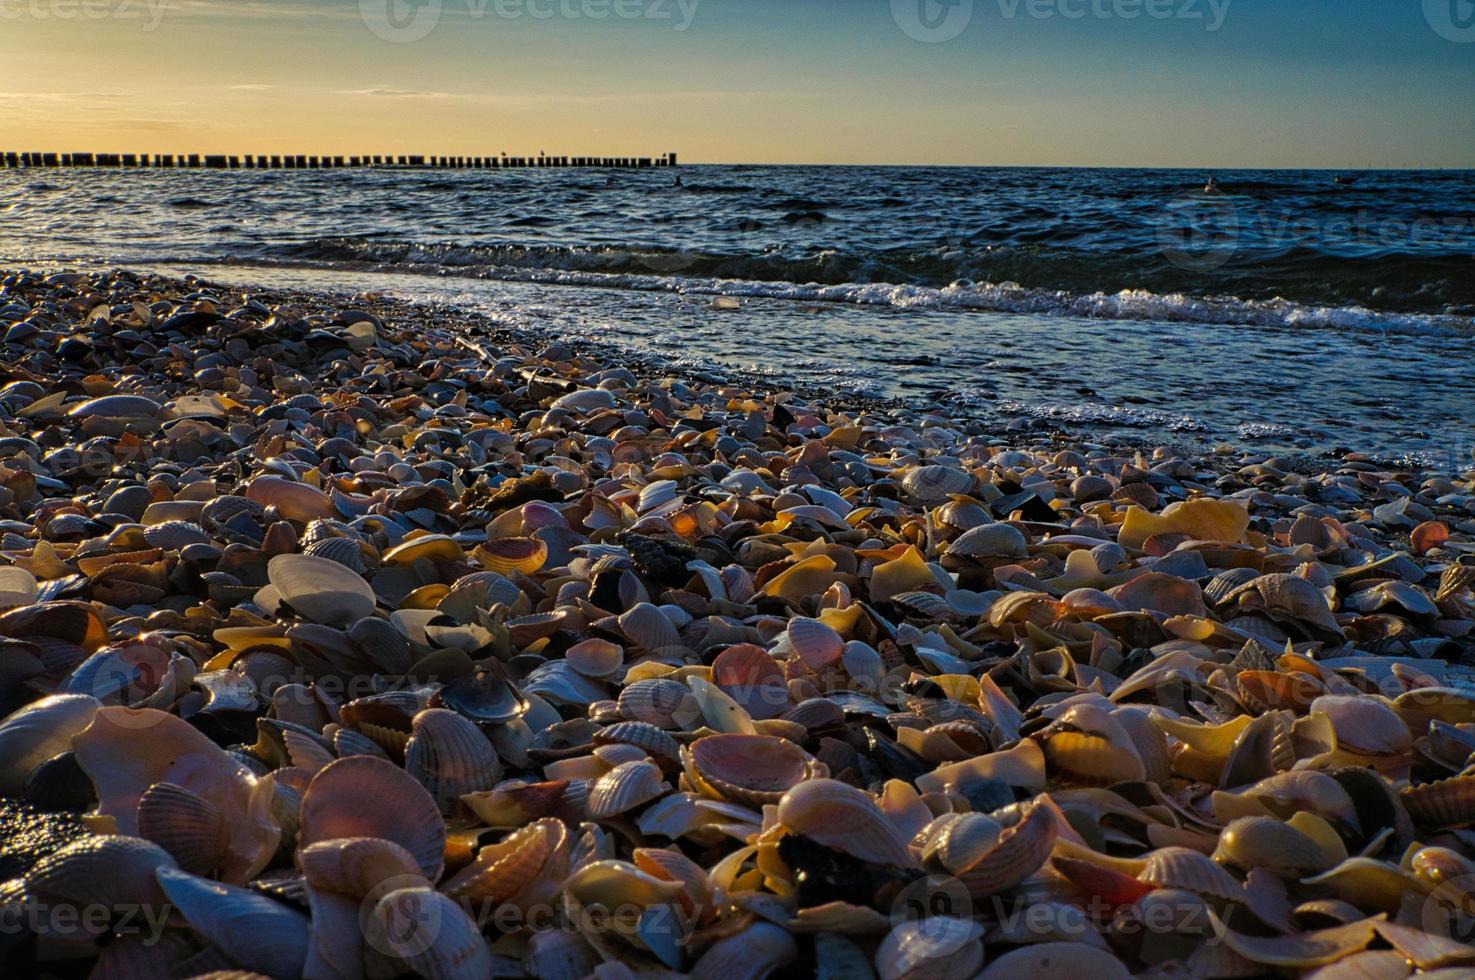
pixel 111 872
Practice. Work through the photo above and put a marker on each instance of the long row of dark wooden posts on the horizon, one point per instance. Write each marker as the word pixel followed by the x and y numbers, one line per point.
pixel 288 162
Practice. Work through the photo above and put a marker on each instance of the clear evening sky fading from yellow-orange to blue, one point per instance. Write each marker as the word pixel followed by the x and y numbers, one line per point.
pixel 1126 83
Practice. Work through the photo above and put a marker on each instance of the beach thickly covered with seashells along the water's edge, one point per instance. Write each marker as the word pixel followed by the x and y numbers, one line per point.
pixel 346 637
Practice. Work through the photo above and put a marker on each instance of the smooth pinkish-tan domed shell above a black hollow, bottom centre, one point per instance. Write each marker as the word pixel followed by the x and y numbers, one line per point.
pixel 846 820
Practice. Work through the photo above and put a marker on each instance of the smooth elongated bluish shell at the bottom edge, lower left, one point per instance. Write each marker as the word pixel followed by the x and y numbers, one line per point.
pixel 250 929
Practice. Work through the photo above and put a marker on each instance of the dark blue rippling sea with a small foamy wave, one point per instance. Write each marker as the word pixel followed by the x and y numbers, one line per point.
pixel 1288 312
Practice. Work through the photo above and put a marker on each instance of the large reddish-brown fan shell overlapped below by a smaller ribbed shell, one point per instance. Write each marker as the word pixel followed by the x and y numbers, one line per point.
pixel 362 796
